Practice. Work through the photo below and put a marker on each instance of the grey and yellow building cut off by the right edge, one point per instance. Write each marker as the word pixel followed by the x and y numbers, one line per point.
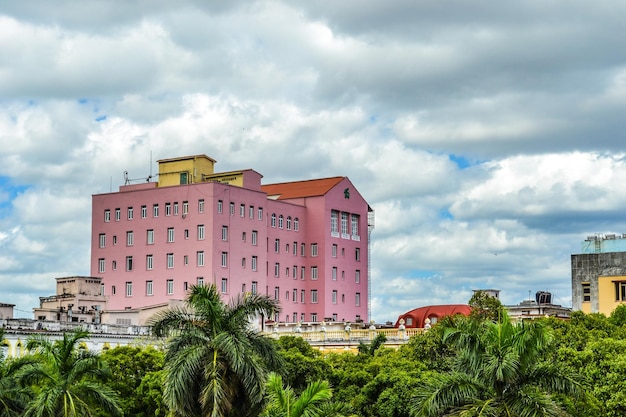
pixel 599 274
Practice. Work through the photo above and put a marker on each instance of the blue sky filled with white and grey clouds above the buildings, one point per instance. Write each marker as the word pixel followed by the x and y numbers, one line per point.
pixel 488 136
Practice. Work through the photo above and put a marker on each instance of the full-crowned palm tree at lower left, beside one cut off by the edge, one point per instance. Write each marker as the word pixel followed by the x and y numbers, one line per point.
pixel 67 381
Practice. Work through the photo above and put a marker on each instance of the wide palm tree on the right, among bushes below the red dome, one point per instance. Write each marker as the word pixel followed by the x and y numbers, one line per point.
pixel 499 370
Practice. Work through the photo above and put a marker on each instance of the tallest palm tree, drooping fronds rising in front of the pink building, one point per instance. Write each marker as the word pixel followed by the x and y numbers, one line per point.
pixel 216 364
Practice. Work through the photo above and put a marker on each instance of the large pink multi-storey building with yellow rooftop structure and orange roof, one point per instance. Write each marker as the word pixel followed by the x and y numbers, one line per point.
pixel 304 243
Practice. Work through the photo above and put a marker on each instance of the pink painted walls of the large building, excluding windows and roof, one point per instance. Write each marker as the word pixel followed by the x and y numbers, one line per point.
pixel 314 227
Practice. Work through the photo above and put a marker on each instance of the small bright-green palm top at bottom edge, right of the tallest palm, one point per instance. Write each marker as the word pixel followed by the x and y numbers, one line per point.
pixel 315 400
